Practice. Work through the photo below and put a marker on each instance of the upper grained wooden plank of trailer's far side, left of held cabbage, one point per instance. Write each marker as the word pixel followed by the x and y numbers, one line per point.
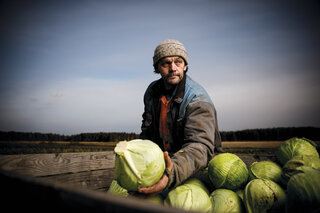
pixel 52 164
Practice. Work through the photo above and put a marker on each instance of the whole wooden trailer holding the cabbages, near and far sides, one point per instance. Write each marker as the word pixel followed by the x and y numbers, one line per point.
pixel 70 182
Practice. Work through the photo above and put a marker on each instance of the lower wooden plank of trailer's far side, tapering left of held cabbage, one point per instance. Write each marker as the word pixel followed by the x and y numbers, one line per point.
pixel 94 180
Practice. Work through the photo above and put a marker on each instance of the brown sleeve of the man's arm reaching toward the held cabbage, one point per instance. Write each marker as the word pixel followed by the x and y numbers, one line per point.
pixel 200 131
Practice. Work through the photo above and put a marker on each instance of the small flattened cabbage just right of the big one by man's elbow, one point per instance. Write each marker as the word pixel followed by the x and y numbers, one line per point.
pixel 265 169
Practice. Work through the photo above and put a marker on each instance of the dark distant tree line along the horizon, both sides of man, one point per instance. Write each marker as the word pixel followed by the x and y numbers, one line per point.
pixel 268 134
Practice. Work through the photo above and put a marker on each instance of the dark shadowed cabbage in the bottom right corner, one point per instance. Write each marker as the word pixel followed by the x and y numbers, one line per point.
pixel 303 191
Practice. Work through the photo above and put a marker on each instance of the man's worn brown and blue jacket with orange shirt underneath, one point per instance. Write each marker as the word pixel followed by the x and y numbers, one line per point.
pixel 184 122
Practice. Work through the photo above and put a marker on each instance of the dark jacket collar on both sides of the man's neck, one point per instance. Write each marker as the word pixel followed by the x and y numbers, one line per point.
pixel 158 87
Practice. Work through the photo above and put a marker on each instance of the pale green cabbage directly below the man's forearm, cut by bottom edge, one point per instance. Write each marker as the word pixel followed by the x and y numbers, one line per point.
pixel 192 195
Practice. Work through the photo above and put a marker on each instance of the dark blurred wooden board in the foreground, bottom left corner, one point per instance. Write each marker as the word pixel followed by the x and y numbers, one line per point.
pixel 26 193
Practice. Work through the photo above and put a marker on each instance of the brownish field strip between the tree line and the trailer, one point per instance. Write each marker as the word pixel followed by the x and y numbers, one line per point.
pixel 34 147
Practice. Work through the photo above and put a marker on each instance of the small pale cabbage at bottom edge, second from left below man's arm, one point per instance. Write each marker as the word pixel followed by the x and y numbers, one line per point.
pixel 226 200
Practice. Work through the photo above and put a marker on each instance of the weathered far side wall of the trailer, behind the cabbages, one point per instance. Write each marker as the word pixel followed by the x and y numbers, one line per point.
pixel 92 170
